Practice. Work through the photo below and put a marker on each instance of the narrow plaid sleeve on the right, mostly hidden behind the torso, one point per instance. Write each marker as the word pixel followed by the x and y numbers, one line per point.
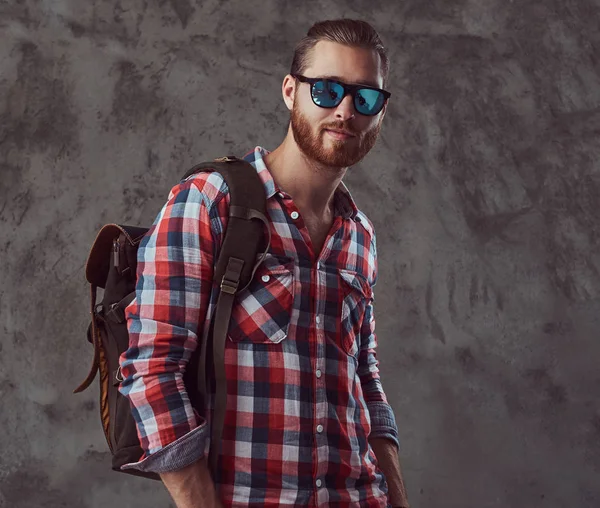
pixel 383 421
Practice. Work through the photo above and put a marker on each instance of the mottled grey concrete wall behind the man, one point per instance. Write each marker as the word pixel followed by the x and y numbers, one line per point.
pixel 484 188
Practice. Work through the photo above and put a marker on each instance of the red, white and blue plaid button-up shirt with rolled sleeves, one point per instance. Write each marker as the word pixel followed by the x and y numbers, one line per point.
pixel 304 394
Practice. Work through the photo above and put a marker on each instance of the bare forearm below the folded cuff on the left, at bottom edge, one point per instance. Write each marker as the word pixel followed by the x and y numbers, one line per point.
pixel 192 486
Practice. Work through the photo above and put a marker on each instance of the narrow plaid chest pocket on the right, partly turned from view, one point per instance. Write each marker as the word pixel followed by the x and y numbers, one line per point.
pixel 357 294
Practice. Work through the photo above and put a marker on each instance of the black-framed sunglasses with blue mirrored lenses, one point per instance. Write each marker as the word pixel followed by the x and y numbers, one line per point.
pixel 329 93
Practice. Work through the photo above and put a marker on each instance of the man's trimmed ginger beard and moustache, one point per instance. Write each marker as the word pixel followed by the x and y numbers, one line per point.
pixel 340 153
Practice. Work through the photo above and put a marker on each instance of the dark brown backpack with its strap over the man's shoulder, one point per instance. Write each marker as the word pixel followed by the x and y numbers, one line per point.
pixel 111 265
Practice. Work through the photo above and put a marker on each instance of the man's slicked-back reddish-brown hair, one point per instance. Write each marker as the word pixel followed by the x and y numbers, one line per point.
pixel 350 32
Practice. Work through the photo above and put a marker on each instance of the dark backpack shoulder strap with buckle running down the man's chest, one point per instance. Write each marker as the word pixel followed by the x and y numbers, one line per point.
pixel 234 270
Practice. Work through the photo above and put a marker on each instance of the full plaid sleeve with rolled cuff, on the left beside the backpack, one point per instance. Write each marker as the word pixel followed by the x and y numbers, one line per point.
pixel 165 324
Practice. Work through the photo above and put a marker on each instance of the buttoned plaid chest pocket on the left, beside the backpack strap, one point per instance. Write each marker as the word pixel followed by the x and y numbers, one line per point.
pixel 261 312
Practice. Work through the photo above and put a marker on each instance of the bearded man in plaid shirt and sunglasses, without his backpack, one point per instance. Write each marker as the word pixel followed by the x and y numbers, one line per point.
pixel 307 421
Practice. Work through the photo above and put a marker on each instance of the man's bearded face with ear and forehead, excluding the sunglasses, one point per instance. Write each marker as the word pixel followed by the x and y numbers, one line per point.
pixel 311 124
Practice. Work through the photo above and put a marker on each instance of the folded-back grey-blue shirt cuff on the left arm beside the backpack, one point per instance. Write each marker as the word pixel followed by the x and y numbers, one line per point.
pixel 176 455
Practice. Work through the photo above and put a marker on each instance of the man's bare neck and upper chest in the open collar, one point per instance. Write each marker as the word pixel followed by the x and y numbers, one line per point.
pixel 311 185
